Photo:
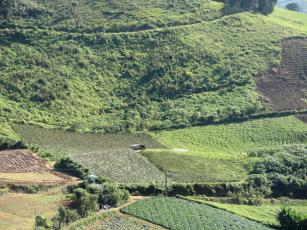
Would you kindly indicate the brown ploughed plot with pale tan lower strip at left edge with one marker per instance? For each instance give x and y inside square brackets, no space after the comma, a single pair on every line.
[21,166]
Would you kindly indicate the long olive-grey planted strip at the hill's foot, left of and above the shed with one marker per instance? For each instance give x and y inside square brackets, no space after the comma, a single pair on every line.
[62,143]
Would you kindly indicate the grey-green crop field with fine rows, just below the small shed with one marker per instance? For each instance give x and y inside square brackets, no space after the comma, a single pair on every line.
[124,166]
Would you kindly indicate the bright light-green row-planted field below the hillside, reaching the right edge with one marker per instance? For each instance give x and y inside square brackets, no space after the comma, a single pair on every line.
[237,138]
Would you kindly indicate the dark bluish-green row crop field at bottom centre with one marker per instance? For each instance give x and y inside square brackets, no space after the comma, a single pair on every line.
[176,214]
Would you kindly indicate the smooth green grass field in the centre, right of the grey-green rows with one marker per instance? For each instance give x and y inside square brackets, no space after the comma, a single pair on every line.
[185,167]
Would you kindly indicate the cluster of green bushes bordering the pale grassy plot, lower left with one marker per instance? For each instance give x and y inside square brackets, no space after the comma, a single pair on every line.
[86,198]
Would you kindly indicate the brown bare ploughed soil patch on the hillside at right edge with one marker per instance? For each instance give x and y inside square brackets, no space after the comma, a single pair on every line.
[285,87]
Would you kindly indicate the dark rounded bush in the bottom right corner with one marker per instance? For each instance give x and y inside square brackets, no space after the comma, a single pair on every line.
[291,220]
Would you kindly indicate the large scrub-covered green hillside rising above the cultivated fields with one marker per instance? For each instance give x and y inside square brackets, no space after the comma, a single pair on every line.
[194,63]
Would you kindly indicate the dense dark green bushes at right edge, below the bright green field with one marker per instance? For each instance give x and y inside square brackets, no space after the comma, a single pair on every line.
[281,173]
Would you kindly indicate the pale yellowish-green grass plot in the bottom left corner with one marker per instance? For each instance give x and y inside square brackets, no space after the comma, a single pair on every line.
[18,211]
